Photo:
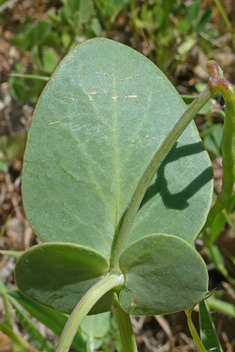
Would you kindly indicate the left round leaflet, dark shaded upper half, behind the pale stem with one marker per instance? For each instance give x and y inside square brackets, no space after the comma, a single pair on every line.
[59,274]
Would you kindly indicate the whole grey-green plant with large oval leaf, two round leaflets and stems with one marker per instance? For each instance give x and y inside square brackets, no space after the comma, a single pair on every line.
[117,185]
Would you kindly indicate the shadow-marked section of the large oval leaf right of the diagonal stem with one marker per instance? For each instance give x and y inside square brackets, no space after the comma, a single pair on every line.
[170,204]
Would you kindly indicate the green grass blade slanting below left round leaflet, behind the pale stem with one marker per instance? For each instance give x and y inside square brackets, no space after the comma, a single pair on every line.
[52,319]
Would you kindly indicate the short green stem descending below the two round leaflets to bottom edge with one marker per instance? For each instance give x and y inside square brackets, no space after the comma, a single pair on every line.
[126,330]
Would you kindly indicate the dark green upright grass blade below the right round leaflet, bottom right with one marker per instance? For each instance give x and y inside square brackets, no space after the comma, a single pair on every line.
[207,329]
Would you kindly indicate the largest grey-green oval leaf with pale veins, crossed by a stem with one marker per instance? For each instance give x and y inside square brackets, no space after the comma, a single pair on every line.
[99,121]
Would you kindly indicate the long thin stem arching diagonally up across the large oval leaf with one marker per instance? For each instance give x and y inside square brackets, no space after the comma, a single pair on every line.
[149,173]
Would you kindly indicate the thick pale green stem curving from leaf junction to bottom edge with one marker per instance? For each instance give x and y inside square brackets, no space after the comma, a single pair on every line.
[83,307]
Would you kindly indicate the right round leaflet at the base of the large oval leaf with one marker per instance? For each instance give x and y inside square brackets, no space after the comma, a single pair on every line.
[163,274]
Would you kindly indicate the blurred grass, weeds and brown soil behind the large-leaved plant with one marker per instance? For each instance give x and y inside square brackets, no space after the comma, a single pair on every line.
[179,37]
